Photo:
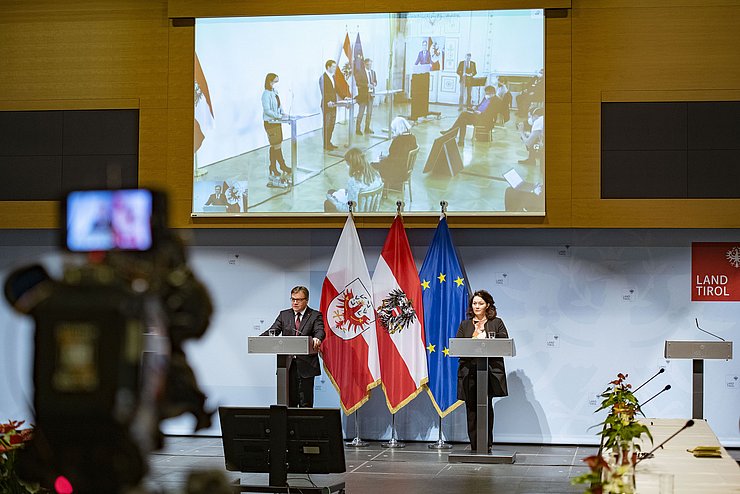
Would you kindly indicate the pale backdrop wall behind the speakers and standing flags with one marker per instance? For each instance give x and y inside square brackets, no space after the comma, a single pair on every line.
[604,307]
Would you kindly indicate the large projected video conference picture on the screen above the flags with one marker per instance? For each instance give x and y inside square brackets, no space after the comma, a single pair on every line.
[303,114]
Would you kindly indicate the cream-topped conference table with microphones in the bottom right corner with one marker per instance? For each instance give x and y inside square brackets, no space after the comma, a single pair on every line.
[690,475]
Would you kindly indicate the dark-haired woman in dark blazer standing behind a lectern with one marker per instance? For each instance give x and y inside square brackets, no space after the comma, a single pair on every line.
[481,323]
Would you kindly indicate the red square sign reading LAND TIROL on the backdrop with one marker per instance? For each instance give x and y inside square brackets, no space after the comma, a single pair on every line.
[715,272]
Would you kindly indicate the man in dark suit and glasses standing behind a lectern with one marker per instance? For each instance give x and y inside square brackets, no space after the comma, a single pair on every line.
[300,320]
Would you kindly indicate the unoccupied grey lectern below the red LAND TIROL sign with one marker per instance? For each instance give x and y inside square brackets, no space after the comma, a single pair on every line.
[698,351]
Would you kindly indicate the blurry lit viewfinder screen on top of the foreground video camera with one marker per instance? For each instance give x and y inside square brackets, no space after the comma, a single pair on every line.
[103,220]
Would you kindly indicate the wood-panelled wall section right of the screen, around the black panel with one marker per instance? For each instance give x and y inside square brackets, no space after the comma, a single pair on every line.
[673,50]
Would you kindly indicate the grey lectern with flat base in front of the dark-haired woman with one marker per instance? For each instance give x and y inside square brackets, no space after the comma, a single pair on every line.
[481,350]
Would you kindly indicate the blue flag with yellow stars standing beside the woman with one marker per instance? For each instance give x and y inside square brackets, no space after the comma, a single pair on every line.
[445,296]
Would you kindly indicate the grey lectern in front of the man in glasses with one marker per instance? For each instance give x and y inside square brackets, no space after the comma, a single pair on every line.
[285,347]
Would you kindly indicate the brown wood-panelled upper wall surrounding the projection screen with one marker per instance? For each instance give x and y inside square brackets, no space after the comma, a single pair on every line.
[83,54]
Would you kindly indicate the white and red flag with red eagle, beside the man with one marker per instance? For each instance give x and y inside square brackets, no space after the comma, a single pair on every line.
[350,350]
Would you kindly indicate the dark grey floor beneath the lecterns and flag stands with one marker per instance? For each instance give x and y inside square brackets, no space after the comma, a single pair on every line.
[412,470]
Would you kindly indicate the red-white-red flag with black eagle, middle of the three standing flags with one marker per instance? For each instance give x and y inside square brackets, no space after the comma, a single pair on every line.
[399,316]
